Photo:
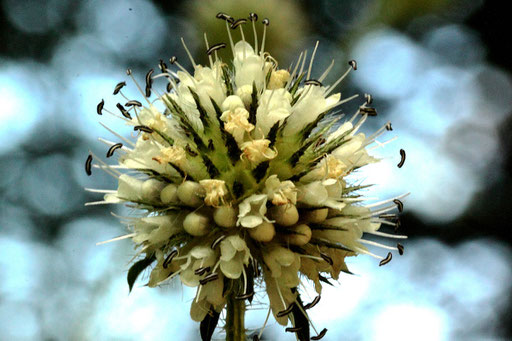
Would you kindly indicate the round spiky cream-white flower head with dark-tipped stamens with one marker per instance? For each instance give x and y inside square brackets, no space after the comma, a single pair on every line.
[243,178]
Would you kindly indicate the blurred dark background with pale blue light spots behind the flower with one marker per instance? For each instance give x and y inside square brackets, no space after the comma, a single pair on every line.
[439,70]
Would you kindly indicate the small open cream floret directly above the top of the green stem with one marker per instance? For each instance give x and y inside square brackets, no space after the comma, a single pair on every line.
[234,255]
